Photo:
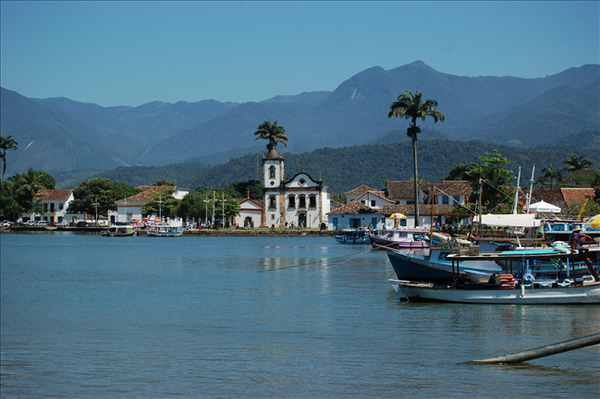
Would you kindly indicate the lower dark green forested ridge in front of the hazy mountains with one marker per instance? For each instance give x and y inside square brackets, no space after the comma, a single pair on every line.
[343,169]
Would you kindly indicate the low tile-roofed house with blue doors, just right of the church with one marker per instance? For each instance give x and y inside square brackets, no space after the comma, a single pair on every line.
[355,214]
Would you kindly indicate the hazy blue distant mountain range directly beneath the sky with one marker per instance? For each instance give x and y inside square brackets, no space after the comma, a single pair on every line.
[60,135]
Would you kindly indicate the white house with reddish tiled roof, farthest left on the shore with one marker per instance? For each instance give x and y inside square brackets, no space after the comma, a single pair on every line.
[55,204]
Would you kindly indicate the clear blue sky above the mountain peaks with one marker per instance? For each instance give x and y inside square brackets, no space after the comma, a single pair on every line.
[130,53]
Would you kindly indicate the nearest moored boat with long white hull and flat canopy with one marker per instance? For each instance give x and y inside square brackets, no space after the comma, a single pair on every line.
[503,288]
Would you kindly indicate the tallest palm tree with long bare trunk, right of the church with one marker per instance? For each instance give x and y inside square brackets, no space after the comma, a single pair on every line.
[411,107]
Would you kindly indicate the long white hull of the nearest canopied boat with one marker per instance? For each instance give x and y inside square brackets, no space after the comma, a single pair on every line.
[581,294]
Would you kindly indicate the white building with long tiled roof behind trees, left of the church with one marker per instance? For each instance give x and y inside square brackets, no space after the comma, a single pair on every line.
[130,208]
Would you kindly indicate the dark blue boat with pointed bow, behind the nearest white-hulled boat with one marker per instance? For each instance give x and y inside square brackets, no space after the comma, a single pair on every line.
[432,265]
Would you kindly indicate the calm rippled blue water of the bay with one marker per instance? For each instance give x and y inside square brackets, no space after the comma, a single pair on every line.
[91,316]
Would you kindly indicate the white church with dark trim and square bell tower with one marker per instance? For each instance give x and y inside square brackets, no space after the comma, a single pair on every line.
[299,202]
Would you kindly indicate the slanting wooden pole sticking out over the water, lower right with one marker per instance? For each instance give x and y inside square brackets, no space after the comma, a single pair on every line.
[542,351]
